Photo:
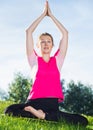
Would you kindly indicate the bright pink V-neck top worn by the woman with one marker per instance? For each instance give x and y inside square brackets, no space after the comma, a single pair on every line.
[47,80]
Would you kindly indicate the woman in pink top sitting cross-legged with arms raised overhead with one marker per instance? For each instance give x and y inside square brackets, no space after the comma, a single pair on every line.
[46,91]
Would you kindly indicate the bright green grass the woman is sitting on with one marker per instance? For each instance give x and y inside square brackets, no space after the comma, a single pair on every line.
[13,123]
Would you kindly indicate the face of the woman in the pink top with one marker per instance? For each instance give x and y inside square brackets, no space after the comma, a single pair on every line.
[45,43]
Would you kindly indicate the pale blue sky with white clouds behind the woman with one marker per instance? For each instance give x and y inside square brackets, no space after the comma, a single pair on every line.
[17,16]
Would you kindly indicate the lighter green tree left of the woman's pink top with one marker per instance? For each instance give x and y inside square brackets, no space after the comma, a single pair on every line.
[19,88]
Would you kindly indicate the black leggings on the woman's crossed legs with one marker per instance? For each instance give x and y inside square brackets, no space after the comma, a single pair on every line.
[49,106]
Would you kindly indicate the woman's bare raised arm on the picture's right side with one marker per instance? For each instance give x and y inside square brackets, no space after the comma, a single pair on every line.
[64,34]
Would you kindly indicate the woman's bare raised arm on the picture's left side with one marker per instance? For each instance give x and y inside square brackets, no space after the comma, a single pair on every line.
[30,30]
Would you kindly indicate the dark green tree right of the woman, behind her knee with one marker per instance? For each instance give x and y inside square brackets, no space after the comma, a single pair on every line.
[79,98]
